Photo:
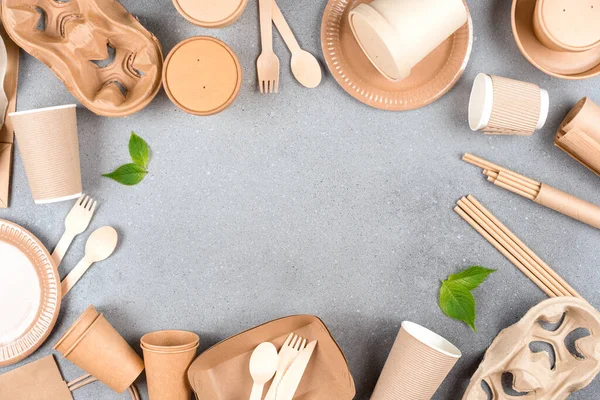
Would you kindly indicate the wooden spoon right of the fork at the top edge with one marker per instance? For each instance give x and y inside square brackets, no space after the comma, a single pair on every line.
[305,67]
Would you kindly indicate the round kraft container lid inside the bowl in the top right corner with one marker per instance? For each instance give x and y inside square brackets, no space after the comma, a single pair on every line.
[571,25]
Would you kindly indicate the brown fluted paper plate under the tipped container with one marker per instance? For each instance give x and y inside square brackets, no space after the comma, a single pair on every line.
[429,80]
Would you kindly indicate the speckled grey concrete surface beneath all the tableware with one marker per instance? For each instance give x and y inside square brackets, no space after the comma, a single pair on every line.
[311,202]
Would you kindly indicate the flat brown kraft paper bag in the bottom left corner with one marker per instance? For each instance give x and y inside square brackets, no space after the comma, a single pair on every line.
[39,380]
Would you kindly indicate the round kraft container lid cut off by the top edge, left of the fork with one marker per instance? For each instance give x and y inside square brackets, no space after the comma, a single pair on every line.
[210,13]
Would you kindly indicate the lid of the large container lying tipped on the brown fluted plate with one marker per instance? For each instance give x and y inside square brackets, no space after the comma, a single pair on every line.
[376,38]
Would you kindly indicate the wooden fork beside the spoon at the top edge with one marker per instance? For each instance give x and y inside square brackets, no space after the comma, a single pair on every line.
[267,64]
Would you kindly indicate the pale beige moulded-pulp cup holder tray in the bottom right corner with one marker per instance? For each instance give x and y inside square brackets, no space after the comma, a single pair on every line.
[543,353]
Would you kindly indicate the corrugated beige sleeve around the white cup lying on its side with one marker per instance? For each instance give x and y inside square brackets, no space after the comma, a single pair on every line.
[516,108]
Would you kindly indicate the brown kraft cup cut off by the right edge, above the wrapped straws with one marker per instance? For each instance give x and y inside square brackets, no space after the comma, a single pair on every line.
[579,134]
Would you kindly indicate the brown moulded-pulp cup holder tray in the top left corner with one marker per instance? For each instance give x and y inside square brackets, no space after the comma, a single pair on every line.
[77,40]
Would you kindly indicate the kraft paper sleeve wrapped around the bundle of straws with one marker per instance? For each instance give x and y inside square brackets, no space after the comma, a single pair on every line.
[569,205]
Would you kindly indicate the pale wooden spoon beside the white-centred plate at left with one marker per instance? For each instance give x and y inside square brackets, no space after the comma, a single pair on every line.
[100,245]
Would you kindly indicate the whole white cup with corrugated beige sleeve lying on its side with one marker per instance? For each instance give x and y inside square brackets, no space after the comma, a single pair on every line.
[505,106]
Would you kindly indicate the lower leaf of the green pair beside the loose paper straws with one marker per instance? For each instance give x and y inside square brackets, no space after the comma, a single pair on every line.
[457,302]
